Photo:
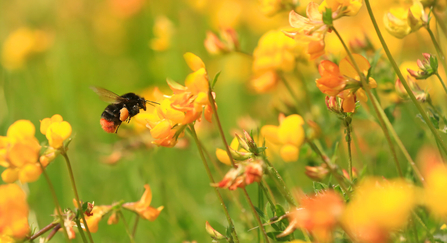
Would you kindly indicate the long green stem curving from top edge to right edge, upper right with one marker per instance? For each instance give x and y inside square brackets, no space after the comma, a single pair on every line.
[402,79]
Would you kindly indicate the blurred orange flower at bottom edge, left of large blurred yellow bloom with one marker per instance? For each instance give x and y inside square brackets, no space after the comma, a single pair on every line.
[318,214]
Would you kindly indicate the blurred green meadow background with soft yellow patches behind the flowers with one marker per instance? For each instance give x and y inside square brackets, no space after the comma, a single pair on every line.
[53,51]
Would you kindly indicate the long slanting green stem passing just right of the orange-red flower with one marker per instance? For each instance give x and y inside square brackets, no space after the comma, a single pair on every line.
[375,106]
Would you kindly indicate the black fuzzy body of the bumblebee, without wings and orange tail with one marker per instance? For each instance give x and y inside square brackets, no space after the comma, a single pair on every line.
[132,102]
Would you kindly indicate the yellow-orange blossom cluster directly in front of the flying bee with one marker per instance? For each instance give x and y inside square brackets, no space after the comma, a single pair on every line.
[183,107]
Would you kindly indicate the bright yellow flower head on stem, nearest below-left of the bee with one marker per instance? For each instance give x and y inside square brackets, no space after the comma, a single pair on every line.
[56,130]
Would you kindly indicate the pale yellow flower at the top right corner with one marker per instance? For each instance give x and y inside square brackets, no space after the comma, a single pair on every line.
[403,20]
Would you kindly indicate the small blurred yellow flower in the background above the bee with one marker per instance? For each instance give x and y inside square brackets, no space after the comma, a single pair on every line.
[163,31]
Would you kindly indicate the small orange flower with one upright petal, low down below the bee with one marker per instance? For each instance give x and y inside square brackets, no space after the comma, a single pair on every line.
[143,207]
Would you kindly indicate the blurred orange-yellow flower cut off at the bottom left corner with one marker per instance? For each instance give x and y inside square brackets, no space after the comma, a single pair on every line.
[13,211]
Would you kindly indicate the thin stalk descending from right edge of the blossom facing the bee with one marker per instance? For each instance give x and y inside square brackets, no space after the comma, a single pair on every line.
[227,147]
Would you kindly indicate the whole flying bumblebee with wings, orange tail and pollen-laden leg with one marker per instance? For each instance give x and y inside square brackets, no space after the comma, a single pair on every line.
[121,108]
